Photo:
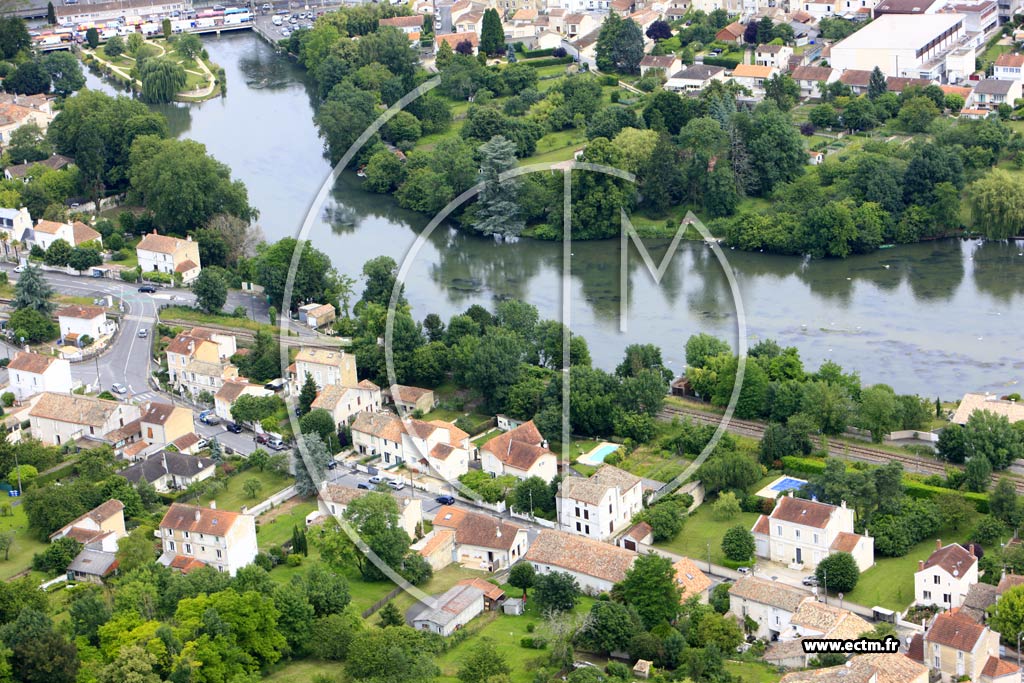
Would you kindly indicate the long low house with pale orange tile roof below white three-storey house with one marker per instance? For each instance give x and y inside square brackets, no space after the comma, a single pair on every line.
[596,567]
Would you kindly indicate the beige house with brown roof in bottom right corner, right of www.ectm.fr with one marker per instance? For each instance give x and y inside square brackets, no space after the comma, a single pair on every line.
[955,647]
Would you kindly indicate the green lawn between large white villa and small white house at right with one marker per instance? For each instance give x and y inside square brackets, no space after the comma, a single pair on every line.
[890,582]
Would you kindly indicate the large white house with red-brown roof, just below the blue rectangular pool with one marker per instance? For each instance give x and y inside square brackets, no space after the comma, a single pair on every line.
[801,534]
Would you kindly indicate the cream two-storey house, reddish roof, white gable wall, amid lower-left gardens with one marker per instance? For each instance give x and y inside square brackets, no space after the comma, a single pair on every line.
[192,537]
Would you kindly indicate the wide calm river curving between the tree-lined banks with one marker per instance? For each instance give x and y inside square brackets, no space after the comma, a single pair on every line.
[936,319]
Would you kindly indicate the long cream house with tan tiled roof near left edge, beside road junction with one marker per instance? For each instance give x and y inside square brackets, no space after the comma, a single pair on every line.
[59,419]
